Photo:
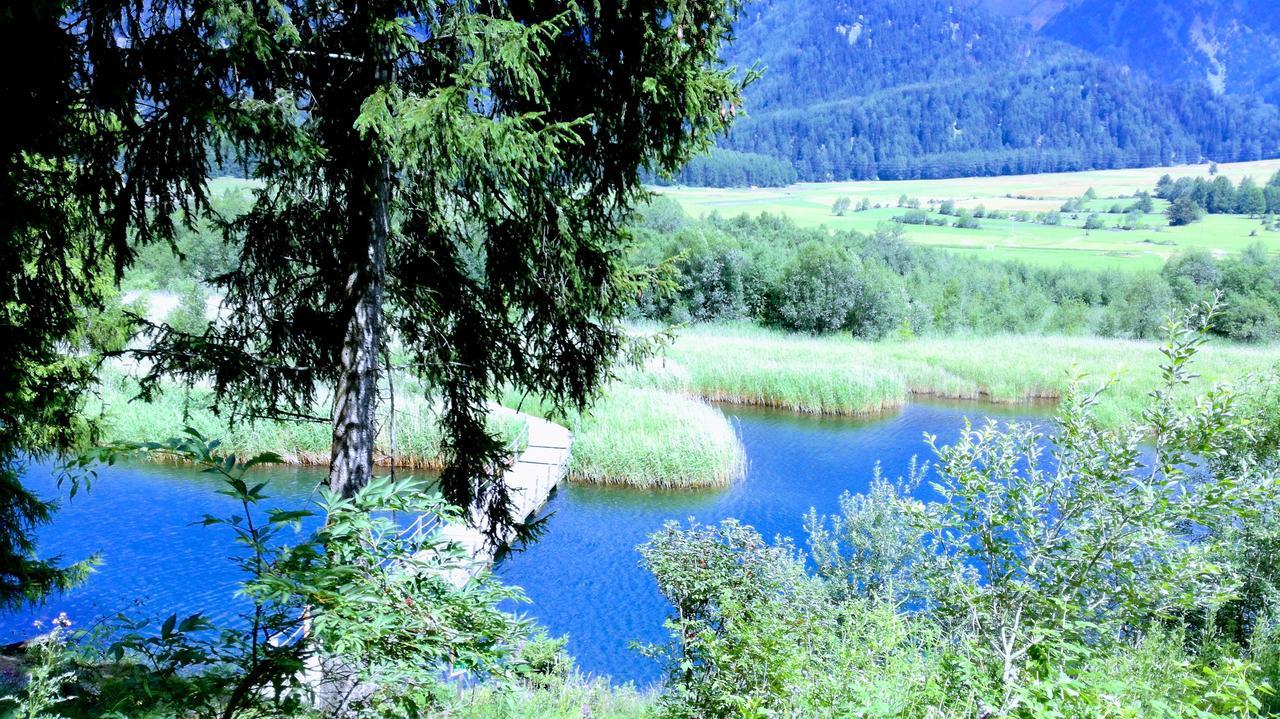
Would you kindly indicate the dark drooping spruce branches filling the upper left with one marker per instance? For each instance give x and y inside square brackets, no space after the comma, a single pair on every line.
[440,189]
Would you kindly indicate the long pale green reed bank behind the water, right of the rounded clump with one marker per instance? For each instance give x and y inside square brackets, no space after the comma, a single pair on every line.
[844,377]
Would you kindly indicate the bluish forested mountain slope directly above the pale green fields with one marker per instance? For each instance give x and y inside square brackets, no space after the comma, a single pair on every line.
[934,89]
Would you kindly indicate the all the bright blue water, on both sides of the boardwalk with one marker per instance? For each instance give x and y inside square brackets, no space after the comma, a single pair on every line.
[583,578]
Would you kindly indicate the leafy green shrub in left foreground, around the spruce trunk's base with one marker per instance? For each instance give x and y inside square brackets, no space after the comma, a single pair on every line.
[360,619]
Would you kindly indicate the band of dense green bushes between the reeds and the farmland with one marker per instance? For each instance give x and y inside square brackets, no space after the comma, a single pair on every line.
[770,271]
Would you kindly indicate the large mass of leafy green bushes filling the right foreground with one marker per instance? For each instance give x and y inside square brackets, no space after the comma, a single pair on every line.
[1080,573]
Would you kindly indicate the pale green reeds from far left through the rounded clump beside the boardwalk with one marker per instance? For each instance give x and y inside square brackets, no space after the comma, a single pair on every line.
[637,436]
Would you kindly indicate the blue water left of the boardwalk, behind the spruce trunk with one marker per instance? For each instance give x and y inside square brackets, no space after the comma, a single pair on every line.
[156,558]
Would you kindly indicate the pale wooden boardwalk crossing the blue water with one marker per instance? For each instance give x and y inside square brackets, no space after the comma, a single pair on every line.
[531,482]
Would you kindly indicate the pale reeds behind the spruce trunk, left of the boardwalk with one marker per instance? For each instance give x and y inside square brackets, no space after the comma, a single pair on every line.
[418,438]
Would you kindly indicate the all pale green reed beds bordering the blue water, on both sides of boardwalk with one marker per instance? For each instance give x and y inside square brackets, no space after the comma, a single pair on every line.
[656,427]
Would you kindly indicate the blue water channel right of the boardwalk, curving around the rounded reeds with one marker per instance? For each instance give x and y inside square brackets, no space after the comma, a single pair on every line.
[584,578]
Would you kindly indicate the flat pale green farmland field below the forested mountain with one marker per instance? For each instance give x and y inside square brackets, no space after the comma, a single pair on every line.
[1008,239]
